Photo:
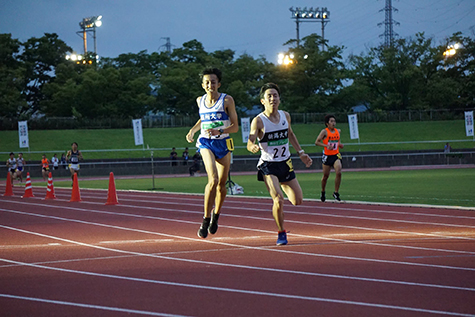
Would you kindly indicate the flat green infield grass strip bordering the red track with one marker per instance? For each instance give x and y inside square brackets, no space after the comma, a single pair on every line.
[454,187]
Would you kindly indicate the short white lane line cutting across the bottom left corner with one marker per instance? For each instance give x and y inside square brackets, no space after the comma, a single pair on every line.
[107,308]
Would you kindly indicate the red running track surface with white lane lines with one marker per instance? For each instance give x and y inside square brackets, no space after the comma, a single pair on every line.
[143,257]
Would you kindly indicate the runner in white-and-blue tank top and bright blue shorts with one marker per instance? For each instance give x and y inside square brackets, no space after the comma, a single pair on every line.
[218,118]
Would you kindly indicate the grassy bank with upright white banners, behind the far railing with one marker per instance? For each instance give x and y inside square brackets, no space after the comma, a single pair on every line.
[111,140]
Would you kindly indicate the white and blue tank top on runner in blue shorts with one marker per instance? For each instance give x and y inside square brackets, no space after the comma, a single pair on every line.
[214,117]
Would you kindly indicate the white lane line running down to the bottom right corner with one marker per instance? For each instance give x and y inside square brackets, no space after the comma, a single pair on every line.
[246,292]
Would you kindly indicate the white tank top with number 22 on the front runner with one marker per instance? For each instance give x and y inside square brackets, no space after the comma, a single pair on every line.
[274,144]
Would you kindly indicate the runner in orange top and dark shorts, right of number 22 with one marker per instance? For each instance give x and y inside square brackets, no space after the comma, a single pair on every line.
[329,139]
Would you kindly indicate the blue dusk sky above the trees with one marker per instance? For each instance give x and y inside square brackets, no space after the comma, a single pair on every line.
[256,27]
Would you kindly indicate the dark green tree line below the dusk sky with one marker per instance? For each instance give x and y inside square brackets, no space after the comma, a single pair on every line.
[36,79]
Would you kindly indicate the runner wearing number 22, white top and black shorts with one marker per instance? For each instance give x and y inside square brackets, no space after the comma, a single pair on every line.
[273,130]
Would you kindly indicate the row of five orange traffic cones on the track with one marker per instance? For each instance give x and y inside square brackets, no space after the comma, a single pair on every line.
[75,193]
